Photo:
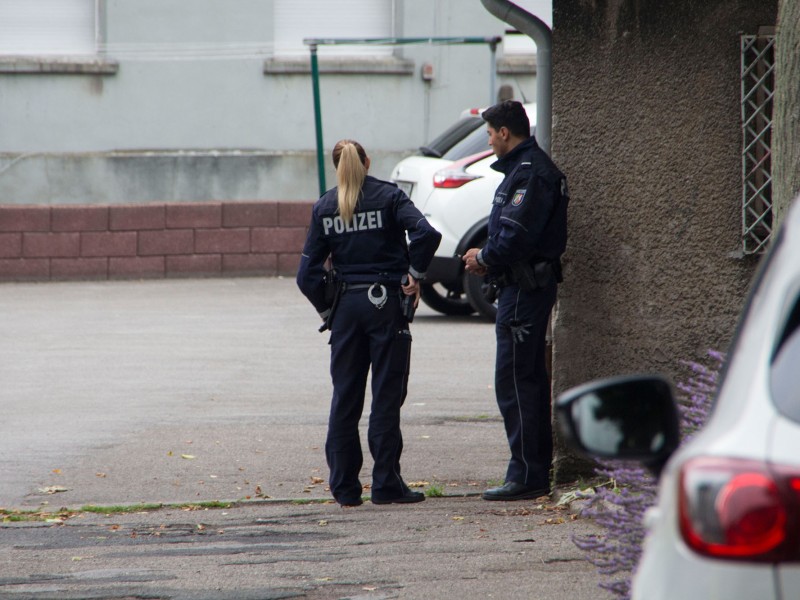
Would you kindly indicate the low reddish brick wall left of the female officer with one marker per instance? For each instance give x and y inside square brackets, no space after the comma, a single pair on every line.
[39,243]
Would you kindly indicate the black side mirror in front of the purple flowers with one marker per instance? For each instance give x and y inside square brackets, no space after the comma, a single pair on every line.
[626,418]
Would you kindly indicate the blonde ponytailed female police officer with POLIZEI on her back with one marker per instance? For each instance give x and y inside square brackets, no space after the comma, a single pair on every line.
[361,226]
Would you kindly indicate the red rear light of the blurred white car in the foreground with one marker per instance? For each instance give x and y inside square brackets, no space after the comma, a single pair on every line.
[740,509]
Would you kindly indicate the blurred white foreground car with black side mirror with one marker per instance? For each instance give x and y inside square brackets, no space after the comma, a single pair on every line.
[727,522]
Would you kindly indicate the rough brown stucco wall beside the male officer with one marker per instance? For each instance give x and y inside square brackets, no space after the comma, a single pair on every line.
[647,129]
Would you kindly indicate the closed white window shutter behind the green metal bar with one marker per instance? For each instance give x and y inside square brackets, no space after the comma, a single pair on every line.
[299,19]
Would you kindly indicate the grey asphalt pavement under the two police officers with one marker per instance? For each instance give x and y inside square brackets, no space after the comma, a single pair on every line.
[164,439]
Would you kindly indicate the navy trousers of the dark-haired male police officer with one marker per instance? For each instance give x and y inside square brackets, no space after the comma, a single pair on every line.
[522,385]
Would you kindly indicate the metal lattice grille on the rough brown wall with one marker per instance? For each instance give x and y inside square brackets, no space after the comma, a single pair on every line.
[758,89]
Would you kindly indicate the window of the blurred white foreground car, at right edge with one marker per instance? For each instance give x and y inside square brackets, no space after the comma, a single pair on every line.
[784,374]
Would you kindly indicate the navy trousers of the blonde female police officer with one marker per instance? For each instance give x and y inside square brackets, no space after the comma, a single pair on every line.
[363,336]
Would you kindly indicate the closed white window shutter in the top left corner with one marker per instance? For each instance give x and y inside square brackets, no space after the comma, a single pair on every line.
[46,27]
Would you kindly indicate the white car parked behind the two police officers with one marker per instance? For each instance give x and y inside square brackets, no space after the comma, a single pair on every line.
[454,190]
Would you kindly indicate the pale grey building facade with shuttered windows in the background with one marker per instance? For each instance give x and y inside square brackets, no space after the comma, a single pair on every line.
[114,102]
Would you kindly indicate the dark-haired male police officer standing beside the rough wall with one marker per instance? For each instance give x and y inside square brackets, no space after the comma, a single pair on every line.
[527,235]
